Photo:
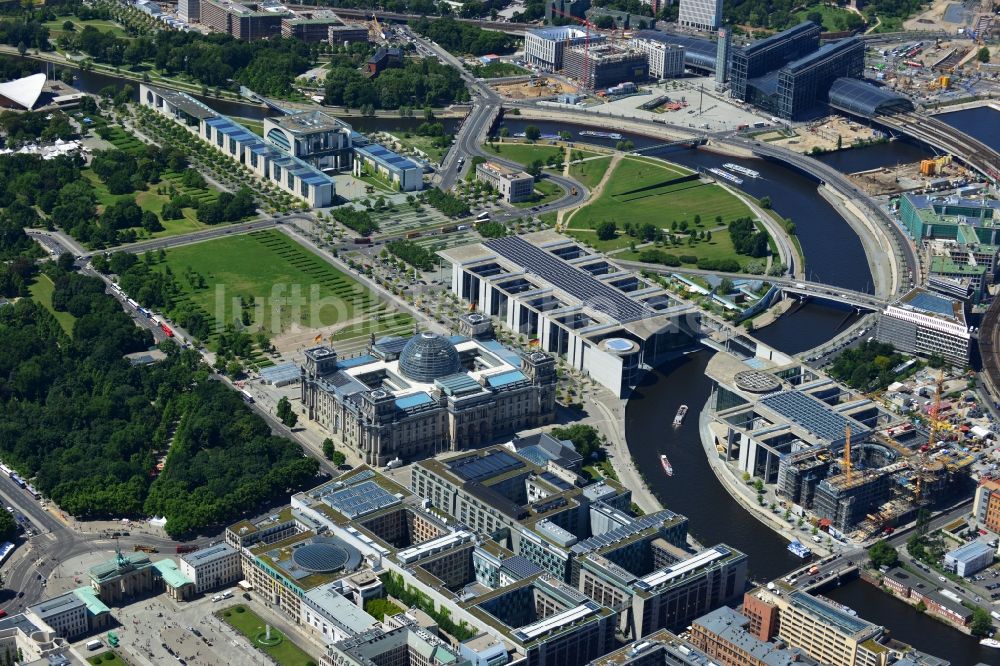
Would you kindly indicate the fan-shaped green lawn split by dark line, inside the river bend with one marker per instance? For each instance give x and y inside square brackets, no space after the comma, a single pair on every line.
[644,191]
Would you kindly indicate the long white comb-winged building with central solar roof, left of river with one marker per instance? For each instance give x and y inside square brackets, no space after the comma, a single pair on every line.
[607,322]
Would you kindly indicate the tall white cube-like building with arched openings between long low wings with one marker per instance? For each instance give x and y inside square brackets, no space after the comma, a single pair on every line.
[314,137]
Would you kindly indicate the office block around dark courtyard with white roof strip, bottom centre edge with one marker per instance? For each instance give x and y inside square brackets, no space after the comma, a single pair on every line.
[546,621]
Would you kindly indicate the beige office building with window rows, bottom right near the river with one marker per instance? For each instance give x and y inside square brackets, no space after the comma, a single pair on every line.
[826,632]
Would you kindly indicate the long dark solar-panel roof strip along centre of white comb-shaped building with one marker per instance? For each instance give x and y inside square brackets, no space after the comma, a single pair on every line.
[574,281]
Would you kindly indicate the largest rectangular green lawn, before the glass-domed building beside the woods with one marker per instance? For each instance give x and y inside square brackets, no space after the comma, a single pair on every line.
[290,283]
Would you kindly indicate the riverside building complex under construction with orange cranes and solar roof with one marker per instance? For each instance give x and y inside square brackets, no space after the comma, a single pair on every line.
[853,465]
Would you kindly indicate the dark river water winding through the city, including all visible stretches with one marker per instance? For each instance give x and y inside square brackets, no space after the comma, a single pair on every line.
[833,255]
